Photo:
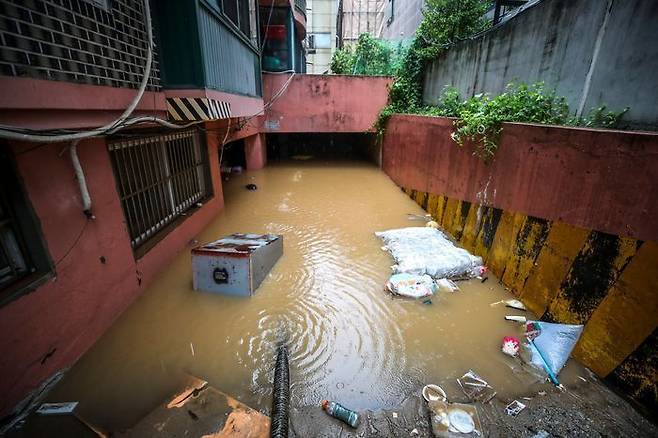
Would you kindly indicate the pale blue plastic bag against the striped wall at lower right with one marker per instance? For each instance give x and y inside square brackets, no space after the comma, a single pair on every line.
[551,344]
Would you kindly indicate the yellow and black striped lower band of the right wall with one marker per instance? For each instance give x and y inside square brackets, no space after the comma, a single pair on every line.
[571,275]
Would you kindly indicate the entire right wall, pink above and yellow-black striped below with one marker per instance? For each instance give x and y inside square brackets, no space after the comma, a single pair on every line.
[566,218]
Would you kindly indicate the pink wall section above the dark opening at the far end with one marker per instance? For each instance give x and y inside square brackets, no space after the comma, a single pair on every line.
[324,103]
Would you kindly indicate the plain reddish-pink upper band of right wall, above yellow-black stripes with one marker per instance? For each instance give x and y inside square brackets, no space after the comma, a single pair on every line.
[596,179]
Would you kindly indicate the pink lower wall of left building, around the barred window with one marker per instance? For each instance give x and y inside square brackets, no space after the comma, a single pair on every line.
[71,311]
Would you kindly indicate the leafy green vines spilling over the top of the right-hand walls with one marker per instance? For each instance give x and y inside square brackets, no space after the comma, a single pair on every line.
[479,118]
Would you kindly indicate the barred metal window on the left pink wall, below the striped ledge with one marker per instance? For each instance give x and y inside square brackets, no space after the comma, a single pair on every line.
[158,178]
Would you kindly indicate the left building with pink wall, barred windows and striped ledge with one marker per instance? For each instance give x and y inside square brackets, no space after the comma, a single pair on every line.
[87,221]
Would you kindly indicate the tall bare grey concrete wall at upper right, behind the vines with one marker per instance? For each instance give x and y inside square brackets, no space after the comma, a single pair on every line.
[594,52]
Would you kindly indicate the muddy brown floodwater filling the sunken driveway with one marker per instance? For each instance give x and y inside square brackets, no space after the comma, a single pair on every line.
[348,339]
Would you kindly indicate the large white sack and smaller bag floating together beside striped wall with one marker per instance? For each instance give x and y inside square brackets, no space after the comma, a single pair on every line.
[426,262]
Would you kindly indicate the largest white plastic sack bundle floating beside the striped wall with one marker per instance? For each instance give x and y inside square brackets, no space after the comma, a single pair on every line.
[423,250]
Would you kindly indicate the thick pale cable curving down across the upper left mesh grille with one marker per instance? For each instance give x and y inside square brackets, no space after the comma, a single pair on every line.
[22,135]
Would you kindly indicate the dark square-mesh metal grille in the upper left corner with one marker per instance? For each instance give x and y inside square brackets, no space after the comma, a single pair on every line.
[75,41]
